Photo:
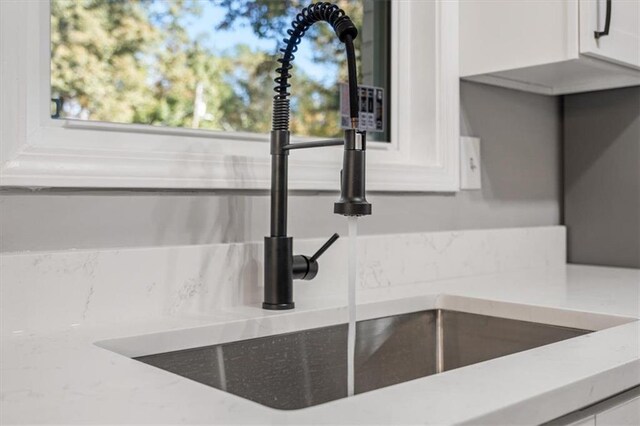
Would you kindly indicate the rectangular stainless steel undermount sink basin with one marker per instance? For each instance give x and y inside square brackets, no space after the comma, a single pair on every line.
[297,370]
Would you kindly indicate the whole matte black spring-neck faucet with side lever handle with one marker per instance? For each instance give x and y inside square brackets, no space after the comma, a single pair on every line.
[281,267]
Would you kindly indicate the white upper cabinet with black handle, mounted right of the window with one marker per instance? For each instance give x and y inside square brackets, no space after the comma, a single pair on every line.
[550,46]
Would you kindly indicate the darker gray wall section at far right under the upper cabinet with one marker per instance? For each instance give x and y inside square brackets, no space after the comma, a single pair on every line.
[602,177]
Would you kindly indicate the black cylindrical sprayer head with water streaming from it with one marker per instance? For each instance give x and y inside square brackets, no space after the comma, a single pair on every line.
[353,201]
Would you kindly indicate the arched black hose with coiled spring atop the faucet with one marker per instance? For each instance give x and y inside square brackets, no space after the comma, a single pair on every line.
[346,32]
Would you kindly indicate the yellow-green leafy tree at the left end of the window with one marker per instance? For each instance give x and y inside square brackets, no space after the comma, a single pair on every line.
[95,49]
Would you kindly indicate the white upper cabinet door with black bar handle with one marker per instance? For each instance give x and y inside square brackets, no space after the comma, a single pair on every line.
[622,44]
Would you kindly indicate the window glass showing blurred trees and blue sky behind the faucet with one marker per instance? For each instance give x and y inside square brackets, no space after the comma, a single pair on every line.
[206,64]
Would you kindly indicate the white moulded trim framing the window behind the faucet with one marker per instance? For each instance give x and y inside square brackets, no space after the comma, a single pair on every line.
[37,151]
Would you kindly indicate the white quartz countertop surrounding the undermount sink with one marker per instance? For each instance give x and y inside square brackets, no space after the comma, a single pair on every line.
[65,377]
